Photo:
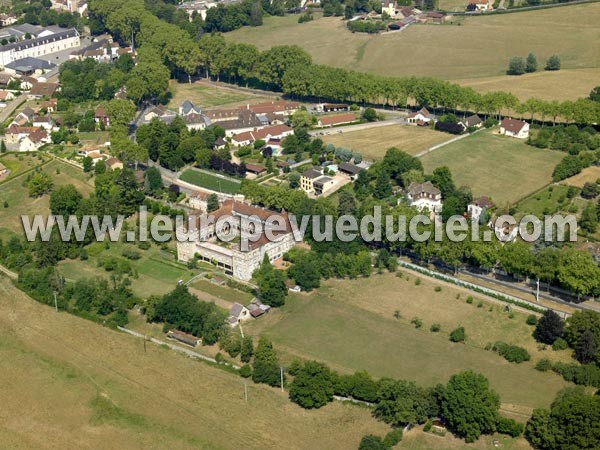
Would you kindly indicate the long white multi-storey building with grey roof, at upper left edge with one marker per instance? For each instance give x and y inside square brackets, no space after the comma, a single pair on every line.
[40,46]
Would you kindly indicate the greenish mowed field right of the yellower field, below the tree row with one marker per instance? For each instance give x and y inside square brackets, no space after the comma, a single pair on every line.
[503,168]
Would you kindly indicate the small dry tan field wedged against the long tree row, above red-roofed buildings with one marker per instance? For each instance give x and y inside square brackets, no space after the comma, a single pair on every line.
[206,96]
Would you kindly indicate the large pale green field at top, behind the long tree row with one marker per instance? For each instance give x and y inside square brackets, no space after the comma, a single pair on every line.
[479,47]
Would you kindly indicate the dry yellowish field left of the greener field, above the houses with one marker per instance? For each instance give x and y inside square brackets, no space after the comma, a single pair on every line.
[374,142]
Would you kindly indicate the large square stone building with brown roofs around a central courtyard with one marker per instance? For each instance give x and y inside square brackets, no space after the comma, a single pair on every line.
[237,219]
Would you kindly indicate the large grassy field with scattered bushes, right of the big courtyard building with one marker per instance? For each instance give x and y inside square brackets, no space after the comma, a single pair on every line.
[351,325]
